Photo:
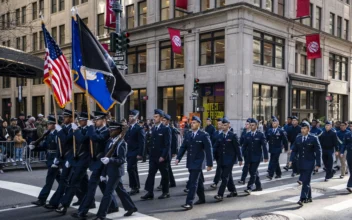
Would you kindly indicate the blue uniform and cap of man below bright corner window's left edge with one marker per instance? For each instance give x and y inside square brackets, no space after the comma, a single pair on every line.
[254,147]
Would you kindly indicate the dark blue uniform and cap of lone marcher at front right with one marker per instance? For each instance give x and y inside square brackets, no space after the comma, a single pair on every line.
[308,150]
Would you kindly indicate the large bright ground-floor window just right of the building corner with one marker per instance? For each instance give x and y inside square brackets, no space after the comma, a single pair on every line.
[266,101]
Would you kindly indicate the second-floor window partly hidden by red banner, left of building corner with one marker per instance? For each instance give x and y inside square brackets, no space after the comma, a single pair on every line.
[168,59]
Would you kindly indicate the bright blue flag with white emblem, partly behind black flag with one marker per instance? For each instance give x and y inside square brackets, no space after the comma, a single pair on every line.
[97,81]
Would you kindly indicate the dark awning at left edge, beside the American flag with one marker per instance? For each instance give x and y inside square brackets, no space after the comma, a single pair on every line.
[16,63]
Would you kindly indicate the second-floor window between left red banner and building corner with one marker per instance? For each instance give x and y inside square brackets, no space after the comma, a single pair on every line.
[212,48]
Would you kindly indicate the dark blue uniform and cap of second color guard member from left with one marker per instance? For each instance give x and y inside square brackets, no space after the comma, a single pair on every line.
[66,138]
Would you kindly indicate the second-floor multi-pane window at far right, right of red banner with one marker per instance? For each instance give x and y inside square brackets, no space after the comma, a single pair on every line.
[338,67]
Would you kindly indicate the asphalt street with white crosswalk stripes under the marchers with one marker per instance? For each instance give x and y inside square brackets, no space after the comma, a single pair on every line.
[277,201]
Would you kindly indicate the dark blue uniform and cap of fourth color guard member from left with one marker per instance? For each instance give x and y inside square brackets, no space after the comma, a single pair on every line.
[99,137]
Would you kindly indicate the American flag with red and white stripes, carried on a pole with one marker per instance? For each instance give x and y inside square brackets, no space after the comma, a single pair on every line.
[56,64]
